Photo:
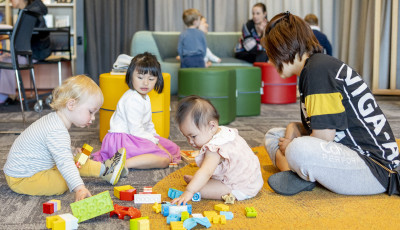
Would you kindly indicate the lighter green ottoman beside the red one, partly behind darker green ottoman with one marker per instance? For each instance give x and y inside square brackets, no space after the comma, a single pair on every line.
[248,86]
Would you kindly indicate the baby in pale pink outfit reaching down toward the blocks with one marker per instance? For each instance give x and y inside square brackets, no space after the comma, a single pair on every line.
[227,164]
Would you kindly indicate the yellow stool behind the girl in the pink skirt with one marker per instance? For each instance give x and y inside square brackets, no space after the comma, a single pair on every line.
[114,86]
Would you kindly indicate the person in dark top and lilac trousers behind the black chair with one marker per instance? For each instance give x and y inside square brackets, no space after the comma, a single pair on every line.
[40,45]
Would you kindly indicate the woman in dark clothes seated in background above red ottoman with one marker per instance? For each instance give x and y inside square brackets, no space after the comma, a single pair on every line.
[249,47]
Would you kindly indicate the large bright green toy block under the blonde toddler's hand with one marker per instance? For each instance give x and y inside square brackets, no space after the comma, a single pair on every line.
[93,206]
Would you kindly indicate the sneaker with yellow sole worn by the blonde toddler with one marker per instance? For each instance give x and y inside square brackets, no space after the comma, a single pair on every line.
[114,166]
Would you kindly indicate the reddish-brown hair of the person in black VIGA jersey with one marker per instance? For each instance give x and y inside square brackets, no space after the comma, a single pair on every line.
[287,35]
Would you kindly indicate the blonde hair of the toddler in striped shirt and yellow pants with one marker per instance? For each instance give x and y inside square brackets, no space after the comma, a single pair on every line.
[78,88]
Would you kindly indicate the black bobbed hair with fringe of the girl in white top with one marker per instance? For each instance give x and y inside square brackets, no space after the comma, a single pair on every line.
[145,63]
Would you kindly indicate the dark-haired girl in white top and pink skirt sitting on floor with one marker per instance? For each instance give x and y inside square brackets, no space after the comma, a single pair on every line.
[131,126]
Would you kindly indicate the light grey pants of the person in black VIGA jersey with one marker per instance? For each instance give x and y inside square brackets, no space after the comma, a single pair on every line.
[333,165]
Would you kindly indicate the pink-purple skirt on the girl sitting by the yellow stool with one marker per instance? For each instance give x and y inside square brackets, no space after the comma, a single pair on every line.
[135,146]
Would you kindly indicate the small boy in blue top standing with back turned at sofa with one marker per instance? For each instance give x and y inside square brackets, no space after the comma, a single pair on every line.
[192,43]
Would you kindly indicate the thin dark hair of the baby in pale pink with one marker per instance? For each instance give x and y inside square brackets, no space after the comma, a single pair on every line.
[201,110]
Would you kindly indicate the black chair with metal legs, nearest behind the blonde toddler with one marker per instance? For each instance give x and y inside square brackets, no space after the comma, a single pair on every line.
[20,45]
